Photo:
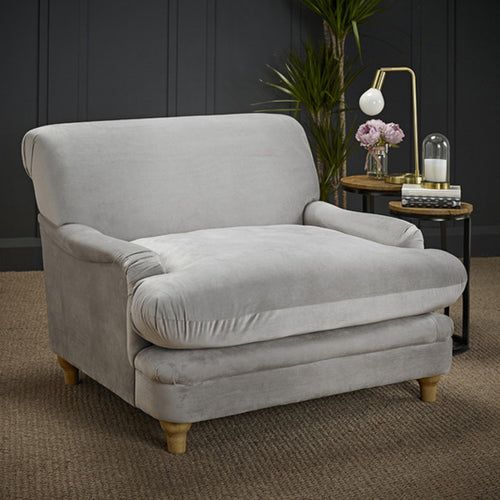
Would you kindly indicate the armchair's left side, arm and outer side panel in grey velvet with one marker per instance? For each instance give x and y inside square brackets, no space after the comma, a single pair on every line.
[89,278]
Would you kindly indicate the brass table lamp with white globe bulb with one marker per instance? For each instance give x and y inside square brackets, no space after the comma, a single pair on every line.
[372,103]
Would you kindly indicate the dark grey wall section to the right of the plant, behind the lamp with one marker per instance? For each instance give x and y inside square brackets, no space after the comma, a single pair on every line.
[454,47]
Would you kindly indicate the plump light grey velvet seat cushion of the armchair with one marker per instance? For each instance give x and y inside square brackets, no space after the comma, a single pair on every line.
[238,285]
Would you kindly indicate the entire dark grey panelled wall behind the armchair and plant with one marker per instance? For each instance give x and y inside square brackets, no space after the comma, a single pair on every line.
[72,60]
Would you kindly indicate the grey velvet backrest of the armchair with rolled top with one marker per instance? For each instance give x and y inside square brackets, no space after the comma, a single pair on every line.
[137,178]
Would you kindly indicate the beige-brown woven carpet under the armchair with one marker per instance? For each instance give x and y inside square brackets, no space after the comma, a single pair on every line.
[83,442]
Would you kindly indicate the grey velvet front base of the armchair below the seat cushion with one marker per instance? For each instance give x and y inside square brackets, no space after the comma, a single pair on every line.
[194,385]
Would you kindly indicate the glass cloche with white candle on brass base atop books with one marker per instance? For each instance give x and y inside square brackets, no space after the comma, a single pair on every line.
[436,157]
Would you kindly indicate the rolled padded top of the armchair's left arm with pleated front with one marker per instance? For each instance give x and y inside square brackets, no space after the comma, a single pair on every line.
[89,245]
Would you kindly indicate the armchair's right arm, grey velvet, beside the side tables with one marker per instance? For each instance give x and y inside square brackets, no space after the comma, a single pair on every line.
[378,228]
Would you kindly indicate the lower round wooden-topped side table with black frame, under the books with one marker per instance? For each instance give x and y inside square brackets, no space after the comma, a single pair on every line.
[443,215]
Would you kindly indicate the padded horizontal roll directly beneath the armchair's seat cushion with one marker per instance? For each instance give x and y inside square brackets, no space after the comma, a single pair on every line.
[193,366]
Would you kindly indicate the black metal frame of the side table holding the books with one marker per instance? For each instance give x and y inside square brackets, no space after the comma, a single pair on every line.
[460,342]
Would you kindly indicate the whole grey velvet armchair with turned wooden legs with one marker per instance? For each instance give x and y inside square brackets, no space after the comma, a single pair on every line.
[191,270]
